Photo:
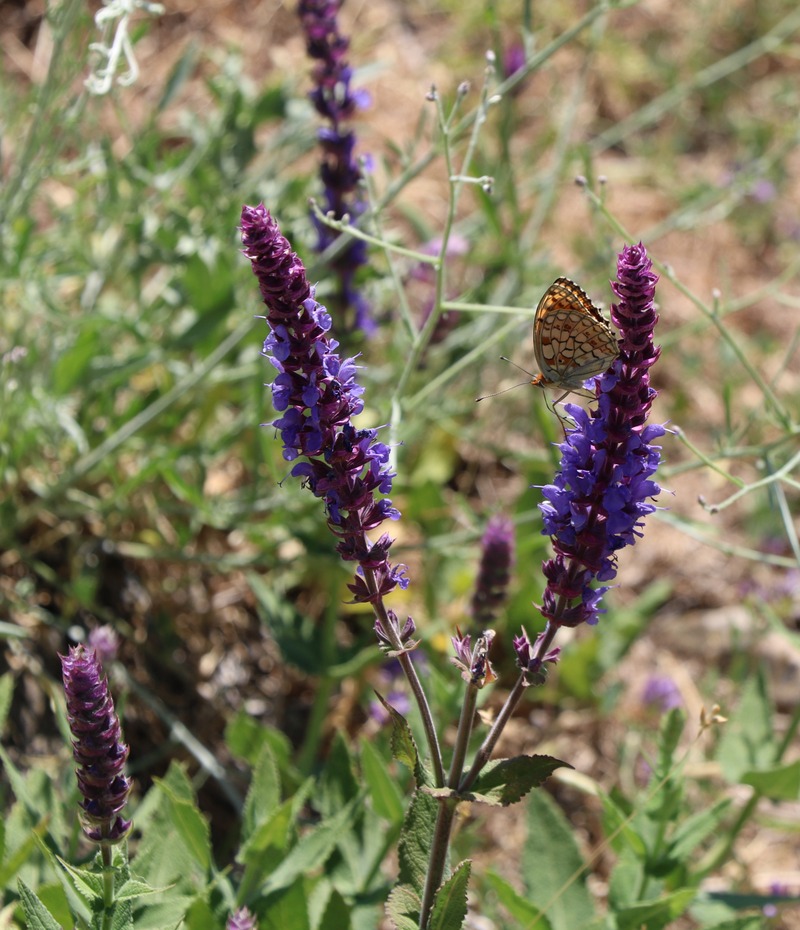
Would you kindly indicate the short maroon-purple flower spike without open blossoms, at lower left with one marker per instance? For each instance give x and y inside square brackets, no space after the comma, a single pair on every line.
[97,747]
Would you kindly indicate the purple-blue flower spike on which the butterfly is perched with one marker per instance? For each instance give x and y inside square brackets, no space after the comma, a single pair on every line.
[599,498]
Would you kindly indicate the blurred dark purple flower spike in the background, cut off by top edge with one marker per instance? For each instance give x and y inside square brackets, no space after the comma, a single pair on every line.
[336,102]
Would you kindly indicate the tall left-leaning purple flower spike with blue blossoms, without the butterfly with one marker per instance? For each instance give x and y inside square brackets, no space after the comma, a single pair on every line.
[317,393]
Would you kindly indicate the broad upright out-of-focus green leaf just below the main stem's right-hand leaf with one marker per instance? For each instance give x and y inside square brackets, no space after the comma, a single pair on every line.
[552,869]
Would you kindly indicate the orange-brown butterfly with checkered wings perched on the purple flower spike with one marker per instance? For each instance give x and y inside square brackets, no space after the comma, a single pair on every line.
[571,340]
